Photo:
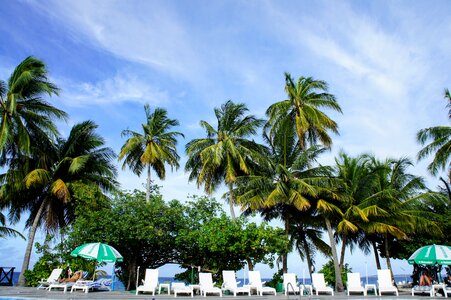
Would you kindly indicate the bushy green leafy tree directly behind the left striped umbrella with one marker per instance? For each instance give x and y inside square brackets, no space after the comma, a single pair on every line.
[143,232]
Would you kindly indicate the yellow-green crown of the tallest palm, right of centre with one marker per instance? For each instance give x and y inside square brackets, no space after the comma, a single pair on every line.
[303,107]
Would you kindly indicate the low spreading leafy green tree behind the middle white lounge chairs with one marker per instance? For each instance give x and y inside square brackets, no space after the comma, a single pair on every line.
[215,244]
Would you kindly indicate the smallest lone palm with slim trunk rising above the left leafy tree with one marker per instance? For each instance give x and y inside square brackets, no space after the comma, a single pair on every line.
[152,149]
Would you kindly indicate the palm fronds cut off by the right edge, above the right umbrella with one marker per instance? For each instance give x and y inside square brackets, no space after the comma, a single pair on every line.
[440,144]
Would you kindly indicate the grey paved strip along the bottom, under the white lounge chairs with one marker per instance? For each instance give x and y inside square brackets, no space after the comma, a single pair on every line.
[33,293]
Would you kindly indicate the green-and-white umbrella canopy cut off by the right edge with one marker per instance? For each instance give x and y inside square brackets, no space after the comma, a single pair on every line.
[431,255]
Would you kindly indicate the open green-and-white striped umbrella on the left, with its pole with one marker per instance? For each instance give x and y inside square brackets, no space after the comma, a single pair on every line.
[100,253]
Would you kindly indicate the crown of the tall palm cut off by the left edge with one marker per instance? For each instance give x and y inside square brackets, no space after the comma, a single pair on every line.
[23,111]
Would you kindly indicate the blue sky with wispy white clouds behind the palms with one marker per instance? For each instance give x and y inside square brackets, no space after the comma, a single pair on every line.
[387,63]
